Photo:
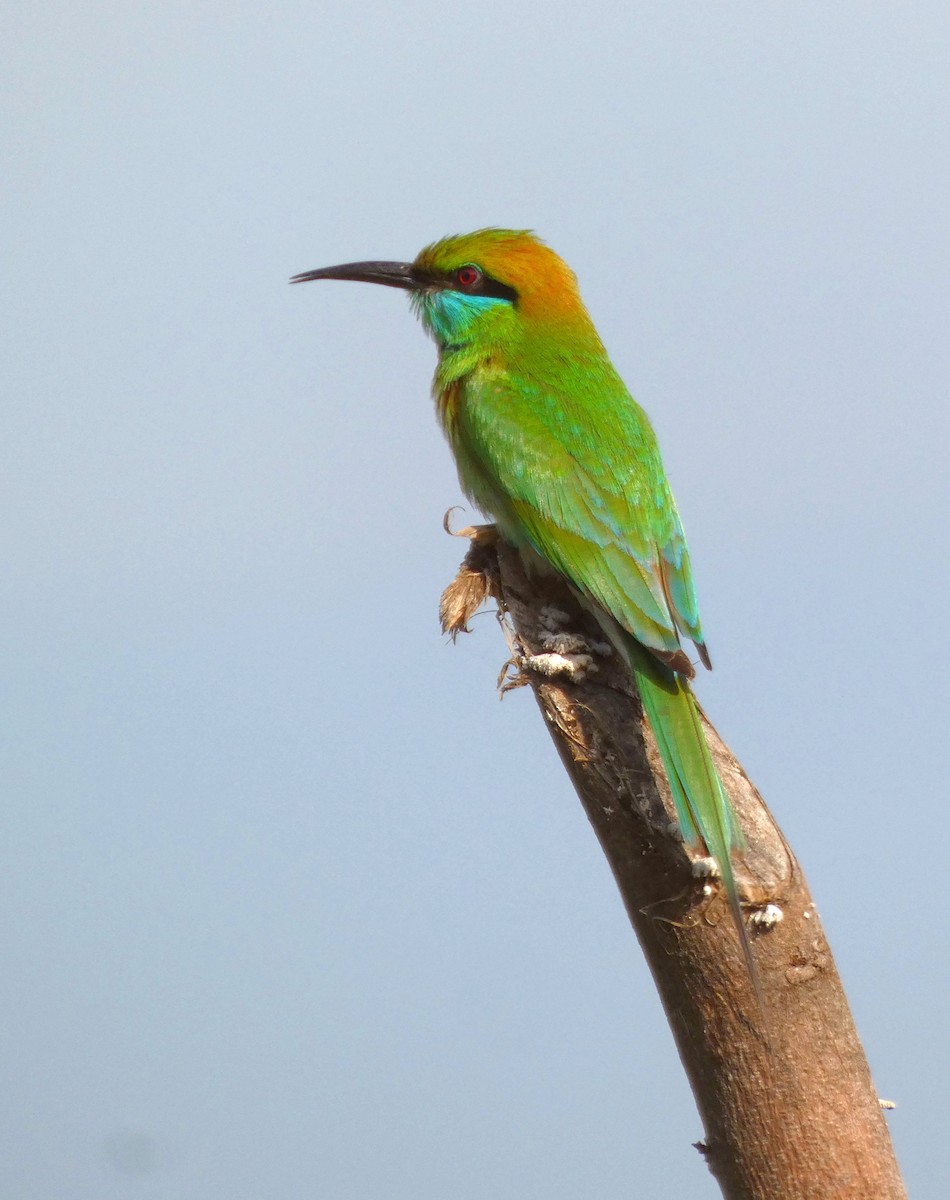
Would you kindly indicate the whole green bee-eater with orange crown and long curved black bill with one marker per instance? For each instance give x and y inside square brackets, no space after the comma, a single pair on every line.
[551,445]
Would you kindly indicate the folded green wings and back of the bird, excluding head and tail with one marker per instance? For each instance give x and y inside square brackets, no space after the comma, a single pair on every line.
[579,477]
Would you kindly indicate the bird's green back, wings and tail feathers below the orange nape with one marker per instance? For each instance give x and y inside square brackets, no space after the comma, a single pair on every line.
[568,465]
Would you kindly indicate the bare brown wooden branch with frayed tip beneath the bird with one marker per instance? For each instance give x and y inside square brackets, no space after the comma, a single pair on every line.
[790,1111]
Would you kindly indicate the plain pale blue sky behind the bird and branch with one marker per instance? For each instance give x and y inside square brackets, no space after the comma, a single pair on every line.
[293,905]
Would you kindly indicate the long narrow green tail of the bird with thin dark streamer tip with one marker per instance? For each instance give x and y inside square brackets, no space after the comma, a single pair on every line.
[704,809]
